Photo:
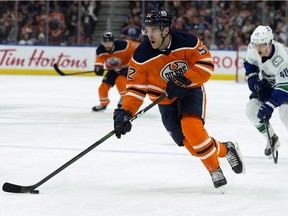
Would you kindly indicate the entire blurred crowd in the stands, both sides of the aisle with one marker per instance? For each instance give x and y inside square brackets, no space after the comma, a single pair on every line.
[220,24]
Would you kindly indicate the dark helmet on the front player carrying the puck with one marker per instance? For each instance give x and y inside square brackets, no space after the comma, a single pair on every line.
[158,18]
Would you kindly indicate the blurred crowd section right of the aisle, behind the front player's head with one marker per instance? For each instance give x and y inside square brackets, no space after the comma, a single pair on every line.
[220,24]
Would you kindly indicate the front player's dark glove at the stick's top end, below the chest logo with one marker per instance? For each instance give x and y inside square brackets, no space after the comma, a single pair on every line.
[177,86]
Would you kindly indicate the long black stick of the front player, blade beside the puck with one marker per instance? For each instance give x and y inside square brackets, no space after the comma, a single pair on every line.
[13,188]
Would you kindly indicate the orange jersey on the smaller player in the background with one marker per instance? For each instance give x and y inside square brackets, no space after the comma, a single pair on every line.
[119,57]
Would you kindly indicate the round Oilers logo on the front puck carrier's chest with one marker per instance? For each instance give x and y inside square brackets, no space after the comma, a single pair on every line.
[174,68]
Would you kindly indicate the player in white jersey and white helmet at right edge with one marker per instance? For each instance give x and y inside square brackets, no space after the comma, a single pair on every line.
[266,66]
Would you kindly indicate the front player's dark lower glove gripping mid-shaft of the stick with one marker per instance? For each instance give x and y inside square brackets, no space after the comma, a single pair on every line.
[122,125]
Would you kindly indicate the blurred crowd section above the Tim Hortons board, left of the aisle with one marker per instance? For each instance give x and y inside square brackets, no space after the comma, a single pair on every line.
[60,22]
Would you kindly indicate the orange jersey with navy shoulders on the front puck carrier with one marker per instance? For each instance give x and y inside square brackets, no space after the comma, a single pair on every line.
[150,69]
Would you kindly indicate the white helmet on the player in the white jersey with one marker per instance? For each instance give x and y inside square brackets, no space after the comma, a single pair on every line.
[262,34]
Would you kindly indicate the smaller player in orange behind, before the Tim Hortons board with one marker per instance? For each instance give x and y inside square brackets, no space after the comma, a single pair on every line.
[115,56]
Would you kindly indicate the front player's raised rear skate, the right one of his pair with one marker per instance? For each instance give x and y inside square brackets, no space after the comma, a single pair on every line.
[234,157]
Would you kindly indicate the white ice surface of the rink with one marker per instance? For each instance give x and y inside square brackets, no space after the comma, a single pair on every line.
[46,120]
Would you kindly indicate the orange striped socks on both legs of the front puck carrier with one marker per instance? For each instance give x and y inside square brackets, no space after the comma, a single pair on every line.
[204,146]
